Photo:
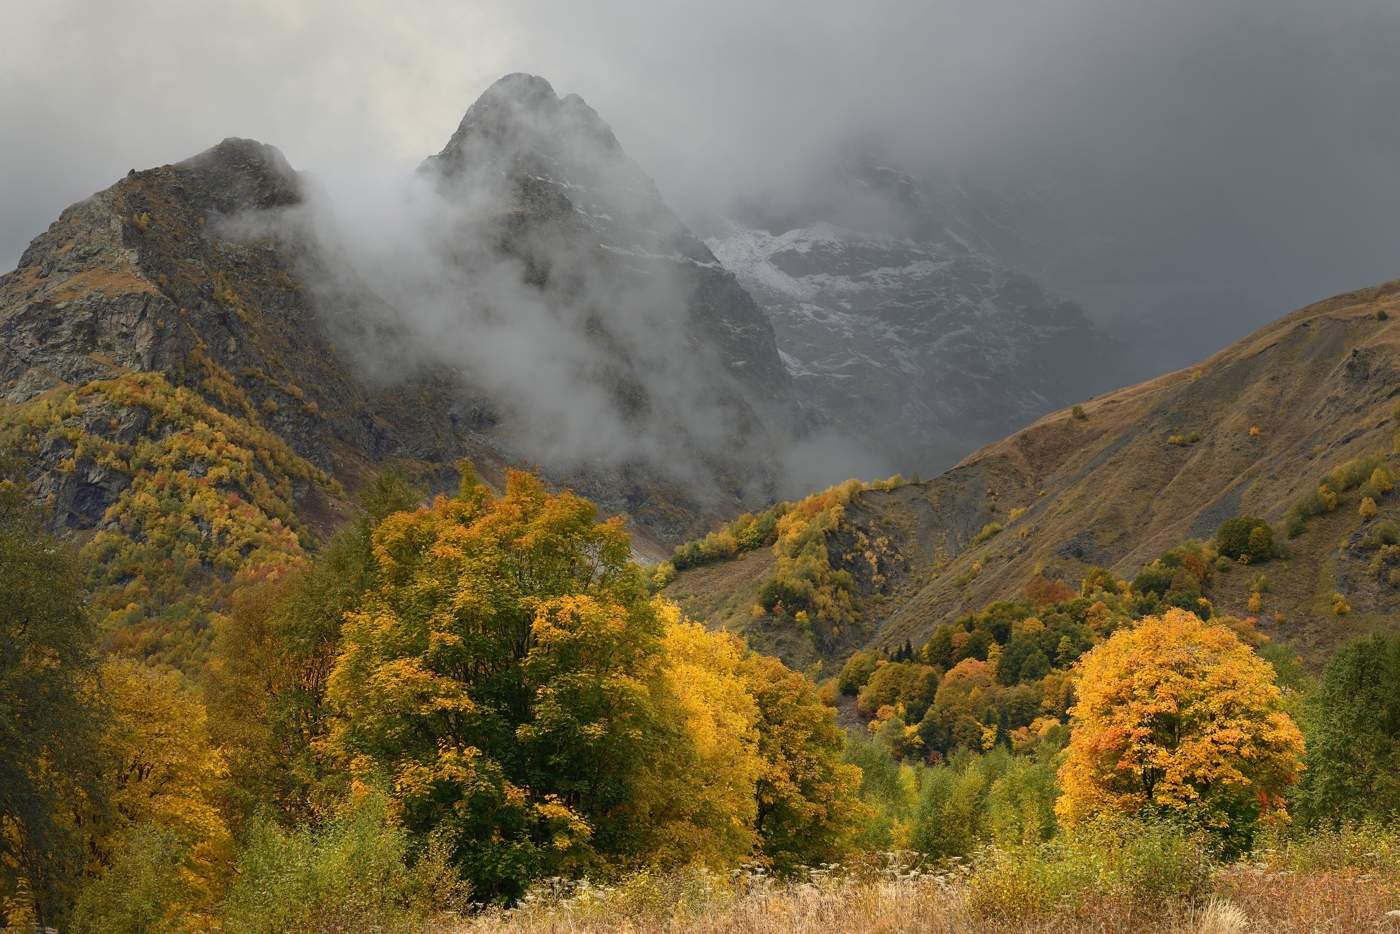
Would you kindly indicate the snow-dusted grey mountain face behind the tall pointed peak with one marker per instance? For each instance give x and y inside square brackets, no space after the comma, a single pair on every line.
[901,326]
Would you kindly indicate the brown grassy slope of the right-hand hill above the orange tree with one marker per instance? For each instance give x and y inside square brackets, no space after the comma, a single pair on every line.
[1111,489]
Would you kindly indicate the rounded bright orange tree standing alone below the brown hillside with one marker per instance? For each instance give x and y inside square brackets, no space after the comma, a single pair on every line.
[1179,716]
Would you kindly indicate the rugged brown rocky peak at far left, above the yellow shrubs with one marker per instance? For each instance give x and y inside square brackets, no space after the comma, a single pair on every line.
[143,279]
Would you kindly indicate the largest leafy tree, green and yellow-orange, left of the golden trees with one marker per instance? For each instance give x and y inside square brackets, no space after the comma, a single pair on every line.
[457,676]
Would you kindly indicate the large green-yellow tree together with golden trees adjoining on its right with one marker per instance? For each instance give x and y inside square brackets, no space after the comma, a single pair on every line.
[526,704]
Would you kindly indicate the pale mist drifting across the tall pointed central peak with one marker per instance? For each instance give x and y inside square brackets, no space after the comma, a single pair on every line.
[534,267]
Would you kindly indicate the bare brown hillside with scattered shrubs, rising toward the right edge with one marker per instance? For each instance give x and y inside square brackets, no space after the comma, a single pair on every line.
[1289,425]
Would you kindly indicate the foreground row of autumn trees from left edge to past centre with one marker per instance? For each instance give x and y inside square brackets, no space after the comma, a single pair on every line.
[449,704]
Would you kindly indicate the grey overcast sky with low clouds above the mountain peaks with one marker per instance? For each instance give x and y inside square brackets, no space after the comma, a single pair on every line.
[1247,148]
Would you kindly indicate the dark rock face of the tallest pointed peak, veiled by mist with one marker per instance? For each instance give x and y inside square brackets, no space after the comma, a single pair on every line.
[684,354]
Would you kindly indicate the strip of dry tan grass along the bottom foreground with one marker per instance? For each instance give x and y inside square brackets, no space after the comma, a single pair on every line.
[1245,900]
